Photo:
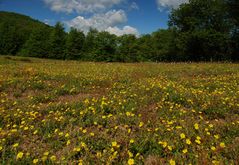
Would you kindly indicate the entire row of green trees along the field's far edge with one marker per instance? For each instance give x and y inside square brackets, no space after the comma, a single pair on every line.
[201,30]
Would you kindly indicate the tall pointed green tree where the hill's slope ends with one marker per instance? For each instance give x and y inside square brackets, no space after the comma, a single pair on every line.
[57,42]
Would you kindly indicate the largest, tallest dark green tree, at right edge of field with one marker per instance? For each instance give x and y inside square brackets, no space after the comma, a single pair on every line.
[203,30]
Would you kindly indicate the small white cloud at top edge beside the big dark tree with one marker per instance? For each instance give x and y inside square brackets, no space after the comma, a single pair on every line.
[169,3]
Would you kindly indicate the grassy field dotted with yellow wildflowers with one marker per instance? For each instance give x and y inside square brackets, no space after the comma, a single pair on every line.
[111,113]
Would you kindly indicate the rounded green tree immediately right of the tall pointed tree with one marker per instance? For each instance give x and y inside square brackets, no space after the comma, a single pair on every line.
[74,44]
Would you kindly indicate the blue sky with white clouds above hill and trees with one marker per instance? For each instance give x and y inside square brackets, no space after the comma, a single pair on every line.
[116,16]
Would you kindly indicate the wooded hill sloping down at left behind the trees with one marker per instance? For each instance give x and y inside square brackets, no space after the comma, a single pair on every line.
[16,27]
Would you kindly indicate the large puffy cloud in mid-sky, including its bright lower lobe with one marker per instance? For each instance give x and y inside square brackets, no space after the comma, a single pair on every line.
[103,22]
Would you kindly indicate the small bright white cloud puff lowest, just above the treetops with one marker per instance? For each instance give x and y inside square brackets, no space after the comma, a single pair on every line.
[125,30]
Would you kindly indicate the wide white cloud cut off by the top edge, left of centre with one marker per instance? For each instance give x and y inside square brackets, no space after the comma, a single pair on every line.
[81,6]
